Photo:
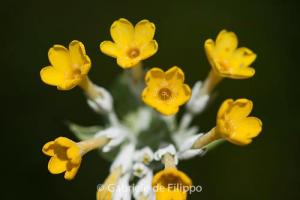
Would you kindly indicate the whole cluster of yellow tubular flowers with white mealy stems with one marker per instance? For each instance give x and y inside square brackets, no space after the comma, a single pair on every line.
[146,133]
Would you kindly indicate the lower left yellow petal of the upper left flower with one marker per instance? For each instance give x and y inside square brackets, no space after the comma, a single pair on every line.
[52,76]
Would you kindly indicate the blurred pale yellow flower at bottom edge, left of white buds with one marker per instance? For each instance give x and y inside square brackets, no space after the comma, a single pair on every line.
[105,192]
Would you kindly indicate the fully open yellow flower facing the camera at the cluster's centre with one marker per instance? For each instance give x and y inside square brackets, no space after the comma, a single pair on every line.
[166,91]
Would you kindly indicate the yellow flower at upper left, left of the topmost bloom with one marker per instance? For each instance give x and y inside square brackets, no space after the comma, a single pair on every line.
[68,67]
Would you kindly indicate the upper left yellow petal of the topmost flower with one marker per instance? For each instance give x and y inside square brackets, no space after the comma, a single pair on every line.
[122,32]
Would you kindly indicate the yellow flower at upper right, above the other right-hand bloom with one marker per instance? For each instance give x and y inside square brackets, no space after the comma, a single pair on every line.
[226,59]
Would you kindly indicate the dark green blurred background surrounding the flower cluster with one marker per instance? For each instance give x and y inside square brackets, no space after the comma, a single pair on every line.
[33,113]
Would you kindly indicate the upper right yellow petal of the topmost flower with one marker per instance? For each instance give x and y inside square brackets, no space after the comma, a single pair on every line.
[144,32]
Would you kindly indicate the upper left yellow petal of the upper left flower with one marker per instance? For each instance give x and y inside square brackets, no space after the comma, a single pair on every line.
[60,58]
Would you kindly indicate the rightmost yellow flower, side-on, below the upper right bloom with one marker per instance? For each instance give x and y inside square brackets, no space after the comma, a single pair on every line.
[234,124]
